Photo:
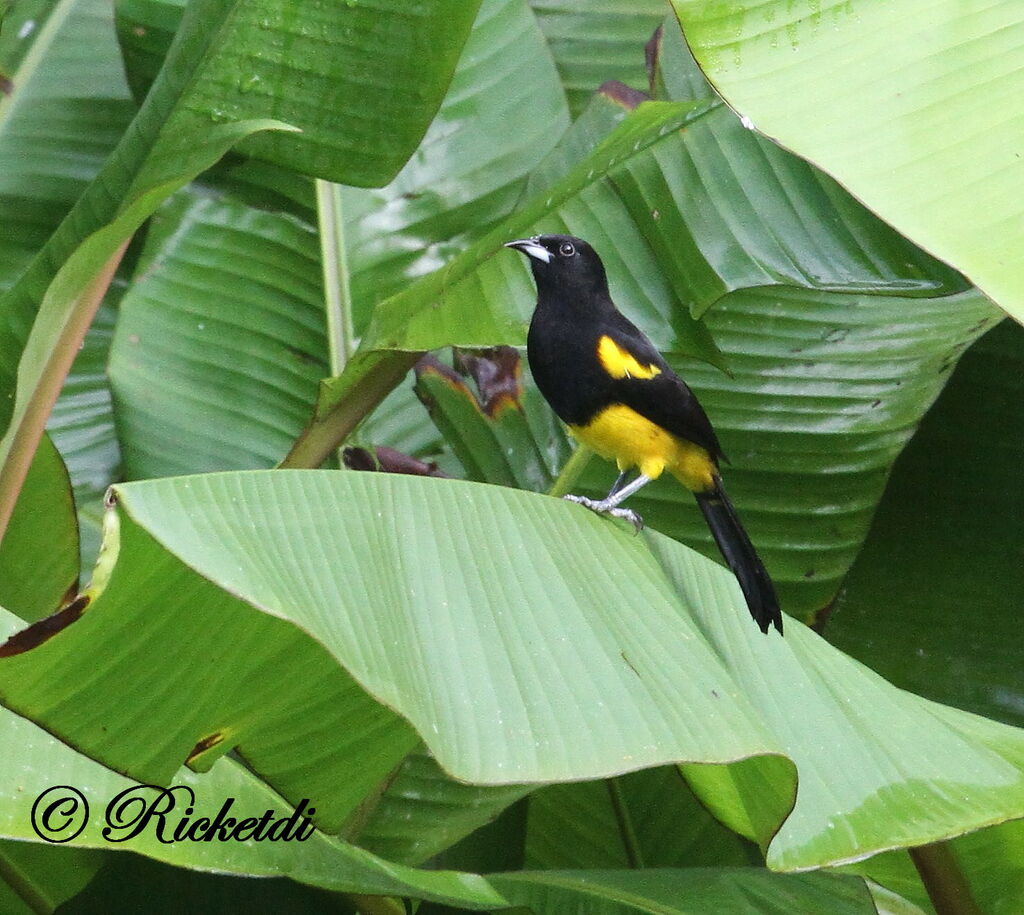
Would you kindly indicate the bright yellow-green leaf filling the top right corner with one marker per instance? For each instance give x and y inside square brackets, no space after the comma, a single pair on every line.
[915,106]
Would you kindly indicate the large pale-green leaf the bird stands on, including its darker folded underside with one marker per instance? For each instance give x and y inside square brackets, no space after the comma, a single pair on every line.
[581,630]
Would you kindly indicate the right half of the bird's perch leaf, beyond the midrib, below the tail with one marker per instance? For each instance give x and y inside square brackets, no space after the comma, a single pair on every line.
[839,704]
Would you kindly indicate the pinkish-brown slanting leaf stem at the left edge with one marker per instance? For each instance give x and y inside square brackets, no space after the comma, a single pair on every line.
[20,445]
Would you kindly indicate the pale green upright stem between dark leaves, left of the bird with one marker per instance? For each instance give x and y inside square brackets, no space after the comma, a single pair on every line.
[334,260]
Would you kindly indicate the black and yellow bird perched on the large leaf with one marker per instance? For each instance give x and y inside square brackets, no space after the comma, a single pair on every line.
[613,388]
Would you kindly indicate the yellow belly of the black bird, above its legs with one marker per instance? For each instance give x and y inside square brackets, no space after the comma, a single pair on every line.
[621,434]
